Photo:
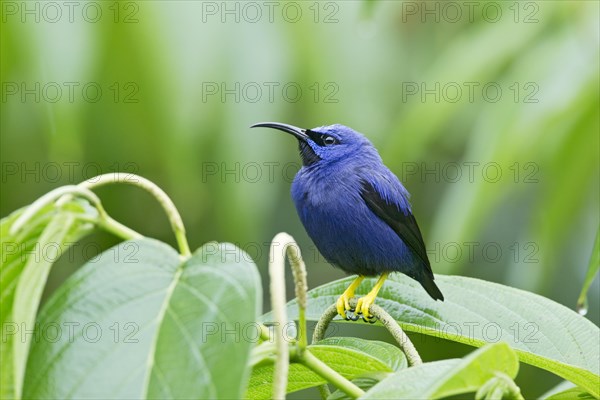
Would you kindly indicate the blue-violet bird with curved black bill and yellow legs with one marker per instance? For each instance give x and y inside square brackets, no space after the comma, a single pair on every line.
[356,212]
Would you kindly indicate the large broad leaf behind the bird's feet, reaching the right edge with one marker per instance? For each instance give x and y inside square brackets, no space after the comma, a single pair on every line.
[543,332]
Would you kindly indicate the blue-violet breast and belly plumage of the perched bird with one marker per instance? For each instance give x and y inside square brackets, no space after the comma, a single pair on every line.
[344,229]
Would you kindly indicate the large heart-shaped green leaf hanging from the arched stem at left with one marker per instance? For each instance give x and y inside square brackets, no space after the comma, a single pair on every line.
[141,323]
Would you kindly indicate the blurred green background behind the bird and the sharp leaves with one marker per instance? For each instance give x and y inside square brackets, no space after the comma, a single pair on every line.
[487,111]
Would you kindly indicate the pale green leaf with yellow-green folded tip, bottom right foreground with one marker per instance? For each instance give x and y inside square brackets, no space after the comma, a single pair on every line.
[449,377]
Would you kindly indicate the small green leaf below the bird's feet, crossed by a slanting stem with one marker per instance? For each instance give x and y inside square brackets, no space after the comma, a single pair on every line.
[348,356]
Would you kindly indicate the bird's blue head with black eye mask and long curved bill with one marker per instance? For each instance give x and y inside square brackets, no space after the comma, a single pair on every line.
[326,143]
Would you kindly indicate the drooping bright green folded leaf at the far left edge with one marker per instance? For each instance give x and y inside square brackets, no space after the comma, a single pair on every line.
[27,257]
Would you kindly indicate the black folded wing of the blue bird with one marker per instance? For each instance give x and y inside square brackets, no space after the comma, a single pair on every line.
[398,217]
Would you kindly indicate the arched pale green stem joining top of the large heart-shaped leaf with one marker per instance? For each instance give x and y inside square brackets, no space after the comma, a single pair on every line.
[164,200]
